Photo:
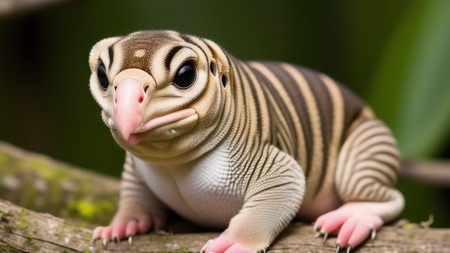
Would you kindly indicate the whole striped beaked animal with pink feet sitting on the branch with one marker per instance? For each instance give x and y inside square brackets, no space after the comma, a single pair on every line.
[246,146]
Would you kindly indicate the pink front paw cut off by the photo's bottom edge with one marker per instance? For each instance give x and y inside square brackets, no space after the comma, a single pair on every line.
[223,244]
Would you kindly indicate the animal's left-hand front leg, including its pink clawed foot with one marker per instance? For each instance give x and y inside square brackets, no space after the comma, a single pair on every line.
[139,209]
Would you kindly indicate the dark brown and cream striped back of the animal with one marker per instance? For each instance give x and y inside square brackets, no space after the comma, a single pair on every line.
[302,112]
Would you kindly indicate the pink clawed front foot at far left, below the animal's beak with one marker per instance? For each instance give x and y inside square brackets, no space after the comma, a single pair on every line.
[121,229]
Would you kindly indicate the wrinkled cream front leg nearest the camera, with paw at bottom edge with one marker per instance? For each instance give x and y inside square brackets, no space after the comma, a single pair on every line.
[275,190]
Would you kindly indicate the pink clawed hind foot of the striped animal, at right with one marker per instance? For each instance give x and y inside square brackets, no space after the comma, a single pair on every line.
[351,228]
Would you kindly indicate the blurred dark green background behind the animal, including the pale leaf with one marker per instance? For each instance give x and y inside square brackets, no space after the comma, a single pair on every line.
[393,53]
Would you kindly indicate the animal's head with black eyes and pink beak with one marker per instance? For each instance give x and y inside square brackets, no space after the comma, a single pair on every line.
[162,93]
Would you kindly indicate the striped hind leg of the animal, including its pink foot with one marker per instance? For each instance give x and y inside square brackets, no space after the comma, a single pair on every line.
[365,174]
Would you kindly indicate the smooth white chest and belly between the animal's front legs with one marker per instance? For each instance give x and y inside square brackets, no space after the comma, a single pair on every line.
[201,191]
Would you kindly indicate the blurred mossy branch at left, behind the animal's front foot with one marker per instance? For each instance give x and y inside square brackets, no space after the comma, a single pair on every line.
[40,183]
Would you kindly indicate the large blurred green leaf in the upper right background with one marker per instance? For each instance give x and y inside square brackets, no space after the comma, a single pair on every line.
[411,89]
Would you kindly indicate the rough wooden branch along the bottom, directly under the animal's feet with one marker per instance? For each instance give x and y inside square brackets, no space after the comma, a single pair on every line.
[23,230]
